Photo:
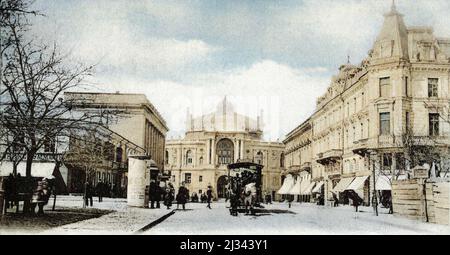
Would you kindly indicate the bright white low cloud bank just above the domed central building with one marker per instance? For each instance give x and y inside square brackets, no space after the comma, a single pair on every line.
[286,95]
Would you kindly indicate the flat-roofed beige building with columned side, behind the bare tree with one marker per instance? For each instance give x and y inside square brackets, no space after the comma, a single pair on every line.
[136,128]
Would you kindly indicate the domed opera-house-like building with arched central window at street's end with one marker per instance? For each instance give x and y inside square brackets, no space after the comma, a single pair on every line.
[213,141]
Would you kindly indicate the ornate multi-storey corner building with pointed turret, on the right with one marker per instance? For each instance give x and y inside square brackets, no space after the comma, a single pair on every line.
[363,126]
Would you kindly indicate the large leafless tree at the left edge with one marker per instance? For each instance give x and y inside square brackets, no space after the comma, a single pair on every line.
[34,81]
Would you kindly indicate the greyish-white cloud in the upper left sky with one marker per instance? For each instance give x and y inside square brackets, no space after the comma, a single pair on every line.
[104,33]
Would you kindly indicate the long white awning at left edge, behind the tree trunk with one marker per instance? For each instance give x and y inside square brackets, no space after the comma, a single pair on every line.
[38,169]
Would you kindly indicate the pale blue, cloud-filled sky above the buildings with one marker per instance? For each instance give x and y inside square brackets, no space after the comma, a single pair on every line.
[274,56]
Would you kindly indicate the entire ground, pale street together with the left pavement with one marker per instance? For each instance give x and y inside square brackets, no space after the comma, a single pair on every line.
[276,219]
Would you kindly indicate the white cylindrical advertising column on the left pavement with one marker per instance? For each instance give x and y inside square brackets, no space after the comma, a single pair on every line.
[138,179]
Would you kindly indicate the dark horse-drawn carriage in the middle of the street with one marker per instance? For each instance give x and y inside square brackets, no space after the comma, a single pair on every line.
[244,187]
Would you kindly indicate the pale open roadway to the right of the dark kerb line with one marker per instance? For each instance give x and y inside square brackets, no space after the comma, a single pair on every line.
[301,219]
